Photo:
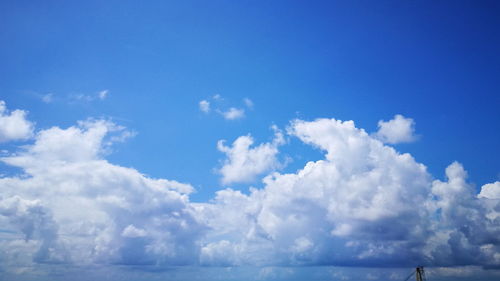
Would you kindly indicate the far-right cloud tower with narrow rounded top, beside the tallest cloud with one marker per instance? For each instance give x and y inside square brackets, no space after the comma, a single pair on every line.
[463,234]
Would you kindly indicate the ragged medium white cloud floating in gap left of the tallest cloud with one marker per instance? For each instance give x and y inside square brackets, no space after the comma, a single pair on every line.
[244,163]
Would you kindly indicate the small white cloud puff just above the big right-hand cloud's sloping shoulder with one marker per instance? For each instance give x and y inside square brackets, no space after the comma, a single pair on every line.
[397,130]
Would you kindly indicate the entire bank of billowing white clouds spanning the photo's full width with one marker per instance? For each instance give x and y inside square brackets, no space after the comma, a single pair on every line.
[364,204]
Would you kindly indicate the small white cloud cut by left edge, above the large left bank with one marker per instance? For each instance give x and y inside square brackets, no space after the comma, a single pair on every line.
[14,125]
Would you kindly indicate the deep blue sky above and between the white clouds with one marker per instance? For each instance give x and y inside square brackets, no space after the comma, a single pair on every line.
[436,62]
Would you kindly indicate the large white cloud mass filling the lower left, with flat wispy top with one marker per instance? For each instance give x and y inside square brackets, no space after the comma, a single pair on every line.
[74,206]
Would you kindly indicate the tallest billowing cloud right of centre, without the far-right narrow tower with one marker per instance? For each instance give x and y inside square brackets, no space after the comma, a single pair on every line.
[358,206]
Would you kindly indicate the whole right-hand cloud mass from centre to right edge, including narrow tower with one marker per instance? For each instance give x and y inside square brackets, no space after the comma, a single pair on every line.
[365,204]
